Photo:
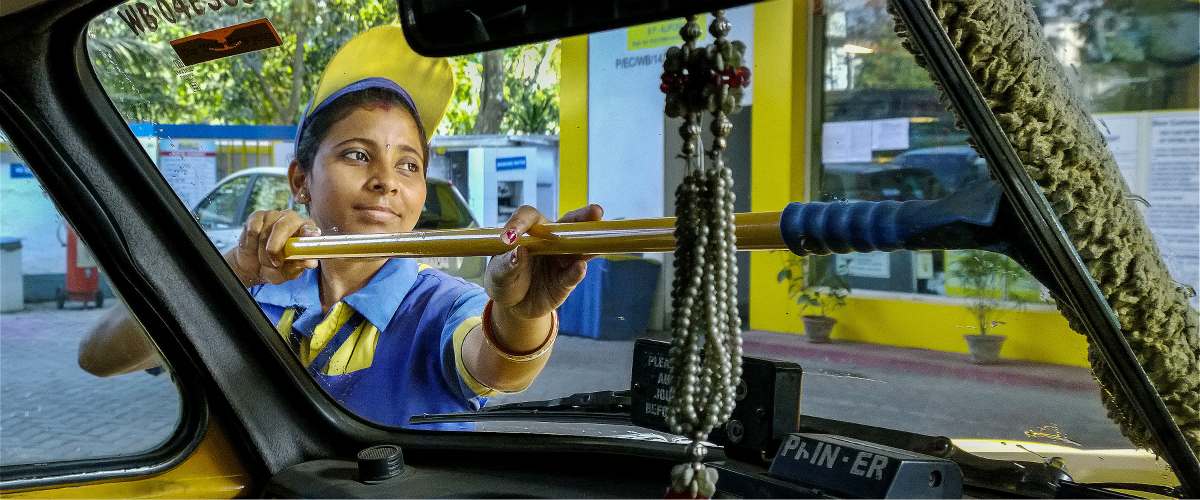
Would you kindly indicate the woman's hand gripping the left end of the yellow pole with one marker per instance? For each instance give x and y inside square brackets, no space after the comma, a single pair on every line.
[259,257]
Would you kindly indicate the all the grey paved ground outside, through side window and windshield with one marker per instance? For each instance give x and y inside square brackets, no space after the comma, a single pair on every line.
[50,409]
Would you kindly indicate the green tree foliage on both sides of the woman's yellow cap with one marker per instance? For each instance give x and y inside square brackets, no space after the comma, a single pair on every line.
[273,87]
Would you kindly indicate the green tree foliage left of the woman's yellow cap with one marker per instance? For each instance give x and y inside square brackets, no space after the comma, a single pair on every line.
[267,87]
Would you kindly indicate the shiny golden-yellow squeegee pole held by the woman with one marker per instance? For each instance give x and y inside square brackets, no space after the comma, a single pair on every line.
[755,231]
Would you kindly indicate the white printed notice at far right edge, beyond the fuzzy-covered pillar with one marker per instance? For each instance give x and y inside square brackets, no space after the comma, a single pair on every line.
[1174,194]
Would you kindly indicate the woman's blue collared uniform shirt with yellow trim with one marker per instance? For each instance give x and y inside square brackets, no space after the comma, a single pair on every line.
[422,316]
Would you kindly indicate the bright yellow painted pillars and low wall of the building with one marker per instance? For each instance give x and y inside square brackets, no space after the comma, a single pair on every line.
[779,170]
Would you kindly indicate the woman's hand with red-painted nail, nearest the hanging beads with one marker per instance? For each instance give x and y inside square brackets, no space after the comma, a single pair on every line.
[531,287]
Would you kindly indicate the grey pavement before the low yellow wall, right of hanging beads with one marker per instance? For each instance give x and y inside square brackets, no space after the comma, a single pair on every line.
[944,394]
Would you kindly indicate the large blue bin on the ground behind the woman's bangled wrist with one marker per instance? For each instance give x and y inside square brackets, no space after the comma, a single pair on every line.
[614,300]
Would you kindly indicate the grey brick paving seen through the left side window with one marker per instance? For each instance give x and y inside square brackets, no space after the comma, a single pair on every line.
[52,411]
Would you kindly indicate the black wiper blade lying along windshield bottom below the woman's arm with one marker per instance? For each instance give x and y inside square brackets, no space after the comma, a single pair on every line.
[603,407]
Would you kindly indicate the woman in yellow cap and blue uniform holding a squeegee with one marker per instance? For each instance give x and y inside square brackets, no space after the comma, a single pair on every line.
[386,338]
